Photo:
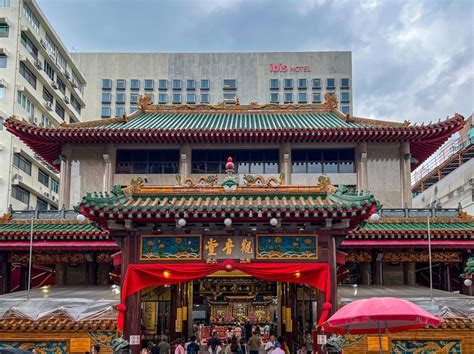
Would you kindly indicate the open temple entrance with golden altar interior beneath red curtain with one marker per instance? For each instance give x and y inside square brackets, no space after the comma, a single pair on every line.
[225,304]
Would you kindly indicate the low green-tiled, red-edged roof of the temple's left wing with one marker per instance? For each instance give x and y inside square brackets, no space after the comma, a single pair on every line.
[58,231]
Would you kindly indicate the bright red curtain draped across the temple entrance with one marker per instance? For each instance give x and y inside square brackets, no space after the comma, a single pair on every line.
[141,276]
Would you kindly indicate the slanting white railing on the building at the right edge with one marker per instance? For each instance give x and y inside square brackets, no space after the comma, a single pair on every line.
[448,150]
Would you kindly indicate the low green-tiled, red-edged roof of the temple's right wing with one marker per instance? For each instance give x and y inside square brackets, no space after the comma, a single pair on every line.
[449,228]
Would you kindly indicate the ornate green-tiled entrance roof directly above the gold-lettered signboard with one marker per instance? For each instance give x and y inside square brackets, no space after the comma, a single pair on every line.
[214,203]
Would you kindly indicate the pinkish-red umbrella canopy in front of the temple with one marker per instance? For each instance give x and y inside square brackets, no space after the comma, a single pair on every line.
[379,315]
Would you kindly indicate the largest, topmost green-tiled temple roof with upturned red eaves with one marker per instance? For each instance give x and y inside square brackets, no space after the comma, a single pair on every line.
[235,124]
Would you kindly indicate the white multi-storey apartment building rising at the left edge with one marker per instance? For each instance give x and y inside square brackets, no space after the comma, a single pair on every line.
[40,84]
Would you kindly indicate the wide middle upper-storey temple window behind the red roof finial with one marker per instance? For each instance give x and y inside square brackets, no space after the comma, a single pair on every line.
[246,161]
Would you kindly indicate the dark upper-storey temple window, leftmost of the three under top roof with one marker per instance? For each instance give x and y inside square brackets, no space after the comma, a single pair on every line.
[147,161]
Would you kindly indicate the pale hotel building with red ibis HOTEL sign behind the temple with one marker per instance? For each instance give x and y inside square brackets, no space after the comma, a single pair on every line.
[115,81]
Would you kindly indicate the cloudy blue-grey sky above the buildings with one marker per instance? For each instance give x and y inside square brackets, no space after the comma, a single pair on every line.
[411,59]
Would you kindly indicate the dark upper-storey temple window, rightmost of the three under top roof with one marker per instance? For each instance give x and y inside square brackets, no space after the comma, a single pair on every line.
[322,161]
